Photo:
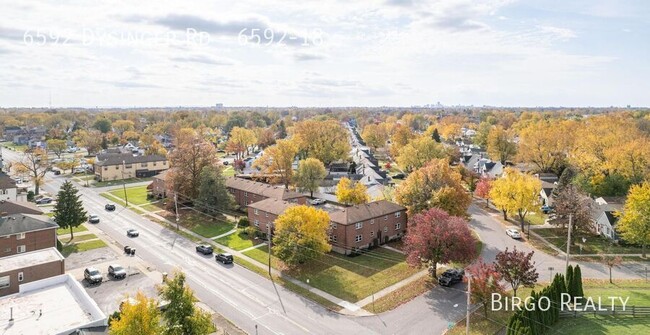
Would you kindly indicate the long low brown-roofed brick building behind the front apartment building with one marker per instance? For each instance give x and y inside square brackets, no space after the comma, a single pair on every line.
[247,192]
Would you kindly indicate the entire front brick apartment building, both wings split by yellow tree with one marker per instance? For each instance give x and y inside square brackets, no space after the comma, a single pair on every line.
[351,228]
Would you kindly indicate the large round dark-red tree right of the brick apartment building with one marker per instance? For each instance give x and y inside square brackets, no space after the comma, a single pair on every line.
[434,237]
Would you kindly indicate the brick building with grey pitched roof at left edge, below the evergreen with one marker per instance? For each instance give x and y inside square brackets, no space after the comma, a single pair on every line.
[20,233]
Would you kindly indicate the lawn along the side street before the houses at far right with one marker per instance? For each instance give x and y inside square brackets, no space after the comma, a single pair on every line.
[593,245]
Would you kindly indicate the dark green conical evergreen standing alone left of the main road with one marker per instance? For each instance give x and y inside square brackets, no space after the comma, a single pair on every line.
[69,211]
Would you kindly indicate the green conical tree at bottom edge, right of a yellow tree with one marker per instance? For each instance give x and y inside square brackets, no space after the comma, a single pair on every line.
[181,316]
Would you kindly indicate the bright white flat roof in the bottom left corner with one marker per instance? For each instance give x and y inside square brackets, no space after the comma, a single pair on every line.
[56,305]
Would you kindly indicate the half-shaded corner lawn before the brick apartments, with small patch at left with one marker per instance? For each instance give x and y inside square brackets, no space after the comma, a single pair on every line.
[348,278]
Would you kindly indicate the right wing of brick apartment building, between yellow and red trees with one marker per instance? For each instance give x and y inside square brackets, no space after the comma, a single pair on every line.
[358,227]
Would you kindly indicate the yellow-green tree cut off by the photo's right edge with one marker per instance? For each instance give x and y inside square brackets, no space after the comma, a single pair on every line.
[634,223]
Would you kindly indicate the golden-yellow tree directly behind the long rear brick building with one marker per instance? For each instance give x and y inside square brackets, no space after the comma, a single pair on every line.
[278,160]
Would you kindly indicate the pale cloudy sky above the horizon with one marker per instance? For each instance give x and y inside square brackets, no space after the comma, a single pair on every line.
[324,53]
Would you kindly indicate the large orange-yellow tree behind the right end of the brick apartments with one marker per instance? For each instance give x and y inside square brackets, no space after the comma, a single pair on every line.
[434,185]
